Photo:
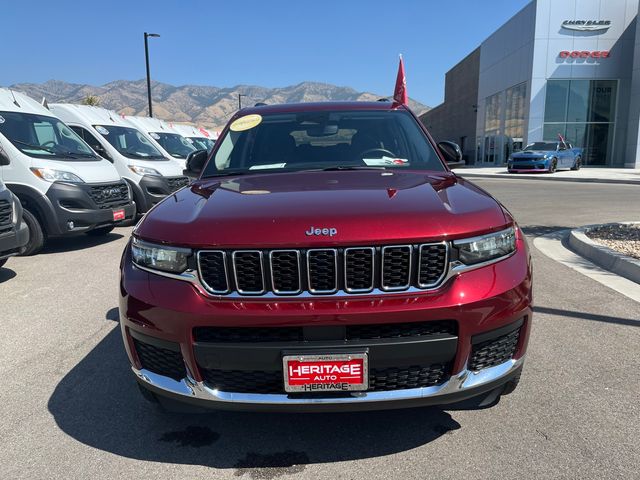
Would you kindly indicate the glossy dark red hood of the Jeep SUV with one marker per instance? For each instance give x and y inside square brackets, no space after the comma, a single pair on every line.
[364,207]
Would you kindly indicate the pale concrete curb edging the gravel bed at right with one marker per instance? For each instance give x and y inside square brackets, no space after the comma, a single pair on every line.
[613,261]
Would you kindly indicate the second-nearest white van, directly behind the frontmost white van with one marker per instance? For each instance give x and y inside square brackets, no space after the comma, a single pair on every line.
[150,174]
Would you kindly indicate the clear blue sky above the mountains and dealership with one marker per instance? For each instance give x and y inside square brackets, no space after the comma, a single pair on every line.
[270,42]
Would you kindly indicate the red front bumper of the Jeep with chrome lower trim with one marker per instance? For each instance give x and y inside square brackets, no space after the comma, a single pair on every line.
[482,303]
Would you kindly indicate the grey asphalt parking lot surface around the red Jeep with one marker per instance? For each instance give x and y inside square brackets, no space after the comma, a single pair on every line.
[71,408]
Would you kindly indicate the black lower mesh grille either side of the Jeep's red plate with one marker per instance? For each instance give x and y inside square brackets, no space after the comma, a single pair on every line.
[380,379]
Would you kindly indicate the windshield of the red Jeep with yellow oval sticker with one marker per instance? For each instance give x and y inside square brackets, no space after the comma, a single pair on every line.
[389,139]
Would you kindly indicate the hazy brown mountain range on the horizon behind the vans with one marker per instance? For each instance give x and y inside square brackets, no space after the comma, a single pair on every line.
[206,106]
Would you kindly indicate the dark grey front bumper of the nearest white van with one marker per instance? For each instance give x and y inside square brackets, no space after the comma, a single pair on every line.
[72,209]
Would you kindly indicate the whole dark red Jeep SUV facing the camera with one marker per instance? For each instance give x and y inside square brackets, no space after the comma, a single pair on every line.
[326,258]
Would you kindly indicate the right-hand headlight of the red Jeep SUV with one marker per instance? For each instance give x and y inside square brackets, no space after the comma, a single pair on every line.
[488,247]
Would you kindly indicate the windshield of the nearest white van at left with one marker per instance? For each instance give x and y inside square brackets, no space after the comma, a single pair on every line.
[41,136]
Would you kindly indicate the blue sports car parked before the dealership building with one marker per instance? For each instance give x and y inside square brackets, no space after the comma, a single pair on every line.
[545,157]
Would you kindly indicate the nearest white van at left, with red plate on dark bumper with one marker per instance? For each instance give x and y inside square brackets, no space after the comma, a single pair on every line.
[64,187]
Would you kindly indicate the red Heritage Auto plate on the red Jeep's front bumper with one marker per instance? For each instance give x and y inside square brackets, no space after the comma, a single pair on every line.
[326,373]
